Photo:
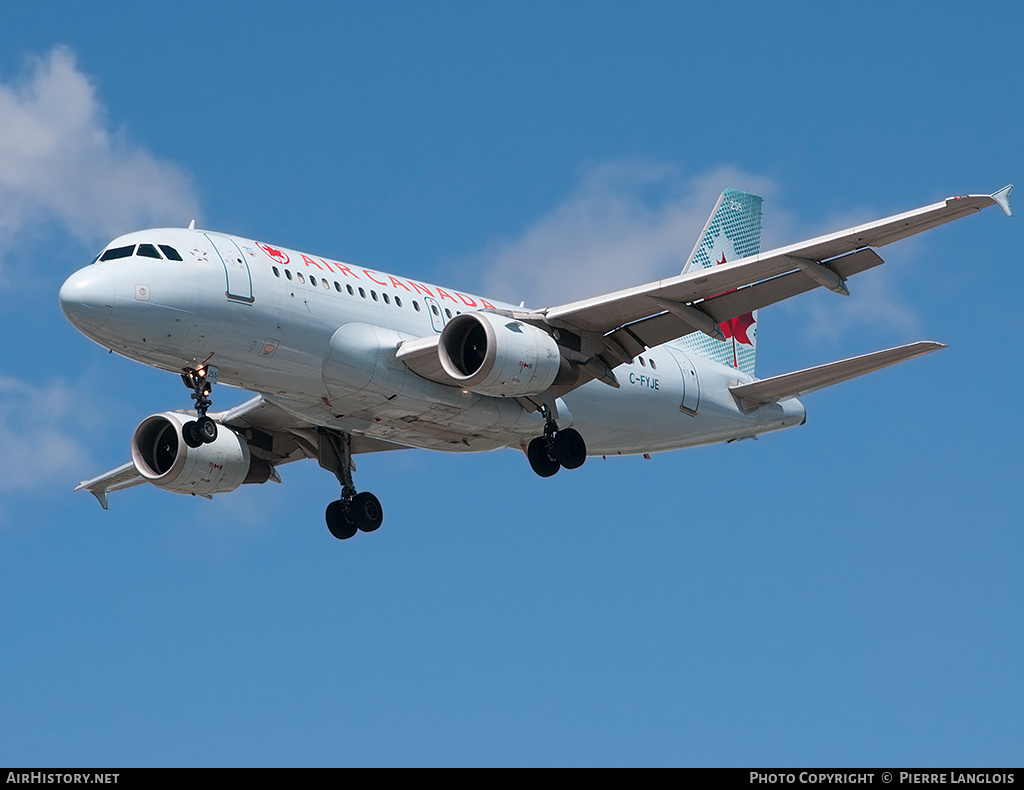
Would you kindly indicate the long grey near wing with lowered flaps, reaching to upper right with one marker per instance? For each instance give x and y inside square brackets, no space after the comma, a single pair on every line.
[613,329]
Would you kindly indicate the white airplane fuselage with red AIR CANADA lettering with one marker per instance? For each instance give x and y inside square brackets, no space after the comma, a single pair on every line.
[318,339]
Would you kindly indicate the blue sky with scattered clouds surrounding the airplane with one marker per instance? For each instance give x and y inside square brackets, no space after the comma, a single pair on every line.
[843,594]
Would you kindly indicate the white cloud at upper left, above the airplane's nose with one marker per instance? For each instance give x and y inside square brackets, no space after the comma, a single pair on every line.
[61,162]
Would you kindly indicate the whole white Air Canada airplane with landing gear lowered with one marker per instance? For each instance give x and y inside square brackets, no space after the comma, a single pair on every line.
[348,360]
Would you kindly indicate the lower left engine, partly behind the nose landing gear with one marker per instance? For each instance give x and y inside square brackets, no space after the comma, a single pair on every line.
[161,455]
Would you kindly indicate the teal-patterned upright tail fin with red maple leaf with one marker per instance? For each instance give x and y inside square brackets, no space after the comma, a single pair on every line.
[734,232]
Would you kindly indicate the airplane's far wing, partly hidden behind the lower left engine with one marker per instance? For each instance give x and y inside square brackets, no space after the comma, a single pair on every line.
[273,436]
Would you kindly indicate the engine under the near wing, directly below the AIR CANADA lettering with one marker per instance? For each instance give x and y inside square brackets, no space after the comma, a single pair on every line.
[496,356]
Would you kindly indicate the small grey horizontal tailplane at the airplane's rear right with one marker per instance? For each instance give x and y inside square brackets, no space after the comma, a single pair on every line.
[803,382]
